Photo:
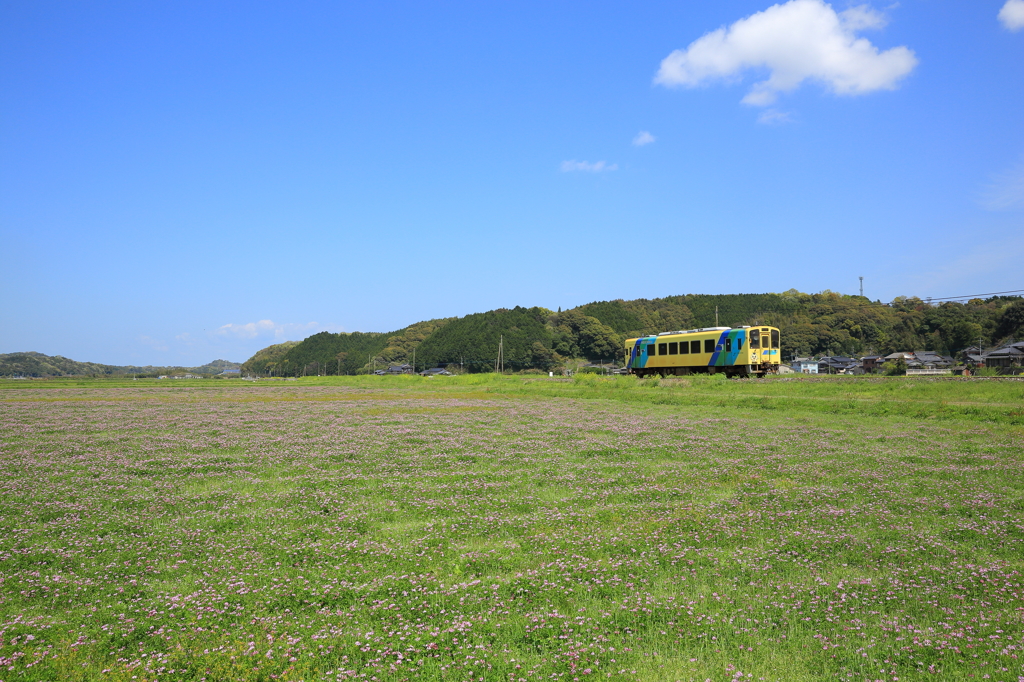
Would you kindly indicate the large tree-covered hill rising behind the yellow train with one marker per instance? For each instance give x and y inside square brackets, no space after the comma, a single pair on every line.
[541,339]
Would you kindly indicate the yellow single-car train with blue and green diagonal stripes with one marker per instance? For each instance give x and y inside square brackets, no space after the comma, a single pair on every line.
[745,352]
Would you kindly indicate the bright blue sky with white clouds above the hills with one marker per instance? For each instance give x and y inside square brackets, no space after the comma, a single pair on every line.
[186,182]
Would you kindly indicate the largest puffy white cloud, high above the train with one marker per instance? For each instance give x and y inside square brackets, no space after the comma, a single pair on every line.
[796,41]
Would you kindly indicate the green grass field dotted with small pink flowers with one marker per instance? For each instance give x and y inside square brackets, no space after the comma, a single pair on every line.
[513,529]
